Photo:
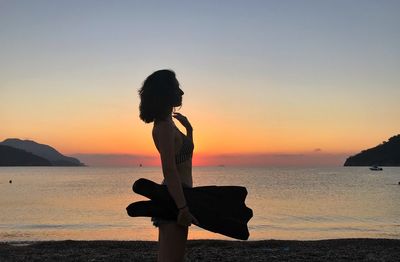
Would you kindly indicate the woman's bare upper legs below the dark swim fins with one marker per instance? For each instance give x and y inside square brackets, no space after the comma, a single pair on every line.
[172,240]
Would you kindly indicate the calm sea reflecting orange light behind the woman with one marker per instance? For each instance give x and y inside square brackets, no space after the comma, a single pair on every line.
[288,203]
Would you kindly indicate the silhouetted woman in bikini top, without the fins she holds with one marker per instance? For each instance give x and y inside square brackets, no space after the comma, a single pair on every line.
[159,96]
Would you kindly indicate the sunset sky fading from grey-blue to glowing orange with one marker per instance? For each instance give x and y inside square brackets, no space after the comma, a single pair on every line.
[265,82]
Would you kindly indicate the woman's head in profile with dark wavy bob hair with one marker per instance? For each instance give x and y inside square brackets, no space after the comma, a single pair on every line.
[159,94]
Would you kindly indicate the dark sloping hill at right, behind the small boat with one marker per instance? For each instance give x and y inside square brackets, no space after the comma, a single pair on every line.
[385,154]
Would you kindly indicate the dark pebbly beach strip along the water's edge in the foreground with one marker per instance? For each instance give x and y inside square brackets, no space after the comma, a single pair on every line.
[206,250]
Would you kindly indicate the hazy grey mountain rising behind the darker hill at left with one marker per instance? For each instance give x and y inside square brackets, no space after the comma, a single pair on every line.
[44,151]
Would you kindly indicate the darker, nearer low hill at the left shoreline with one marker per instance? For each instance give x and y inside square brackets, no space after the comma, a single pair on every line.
[10,156]
